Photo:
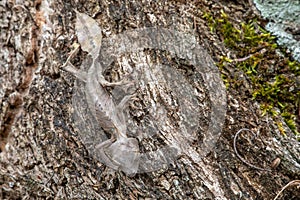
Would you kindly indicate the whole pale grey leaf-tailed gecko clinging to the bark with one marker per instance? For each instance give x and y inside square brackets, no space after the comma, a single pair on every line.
[119,152]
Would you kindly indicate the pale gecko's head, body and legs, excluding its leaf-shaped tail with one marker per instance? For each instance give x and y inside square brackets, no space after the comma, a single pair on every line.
[111,118]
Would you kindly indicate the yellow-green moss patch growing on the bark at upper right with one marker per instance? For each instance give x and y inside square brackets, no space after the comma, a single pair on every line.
[273,79]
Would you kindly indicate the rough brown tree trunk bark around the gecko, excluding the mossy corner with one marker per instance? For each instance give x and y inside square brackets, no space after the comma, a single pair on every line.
[49,139]
